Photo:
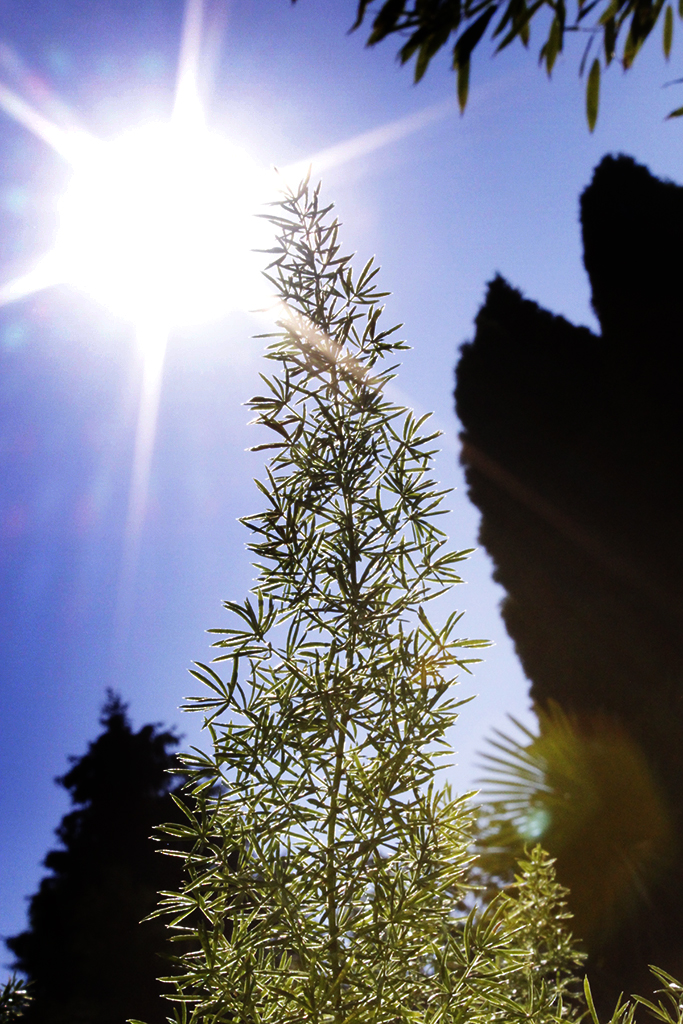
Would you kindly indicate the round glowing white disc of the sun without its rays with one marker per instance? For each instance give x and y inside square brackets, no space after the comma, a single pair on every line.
[160,226]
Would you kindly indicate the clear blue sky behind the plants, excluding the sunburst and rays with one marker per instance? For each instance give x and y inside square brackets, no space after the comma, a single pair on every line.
[444,208]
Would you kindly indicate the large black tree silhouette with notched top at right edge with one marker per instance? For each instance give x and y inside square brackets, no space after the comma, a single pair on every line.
[573,445]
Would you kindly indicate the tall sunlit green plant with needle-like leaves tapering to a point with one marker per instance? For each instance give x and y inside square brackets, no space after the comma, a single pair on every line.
[328,875]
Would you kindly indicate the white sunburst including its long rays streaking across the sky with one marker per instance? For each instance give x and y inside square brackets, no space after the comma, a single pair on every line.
[160,228]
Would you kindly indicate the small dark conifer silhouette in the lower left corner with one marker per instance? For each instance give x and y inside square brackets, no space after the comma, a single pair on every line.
[87,954]
